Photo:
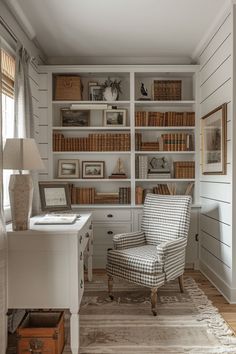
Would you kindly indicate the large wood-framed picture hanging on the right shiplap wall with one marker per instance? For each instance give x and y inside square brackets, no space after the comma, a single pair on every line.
[213,130]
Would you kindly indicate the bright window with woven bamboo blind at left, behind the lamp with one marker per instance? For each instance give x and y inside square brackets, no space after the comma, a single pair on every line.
[8,76]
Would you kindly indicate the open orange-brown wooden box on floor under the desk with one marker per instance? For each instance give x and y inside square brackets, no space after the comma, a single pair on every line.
[41,332]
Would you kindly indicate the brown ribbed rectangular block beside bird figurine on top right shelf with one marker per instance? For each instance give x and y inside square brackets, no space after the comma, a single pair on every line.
[167,90]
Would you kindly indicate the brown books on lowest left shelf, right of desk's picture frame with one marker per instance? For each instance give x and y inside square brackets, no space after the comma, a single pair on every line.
[90,196]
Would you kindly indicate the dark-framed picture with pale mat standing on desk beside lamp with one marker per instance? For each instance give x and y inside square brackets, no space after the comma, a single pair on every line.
[54,196]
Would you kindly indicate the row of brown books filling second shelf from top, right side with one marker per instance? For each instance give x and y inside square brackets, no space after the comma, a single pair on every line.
[164,119]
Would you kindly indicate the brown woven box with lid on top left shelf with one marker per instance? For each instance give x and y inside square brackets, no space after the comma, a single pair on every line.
[67,87]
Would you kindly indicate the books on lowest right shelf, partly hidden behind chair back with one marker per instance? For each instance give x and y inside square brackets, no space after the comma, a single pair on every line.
[164,189]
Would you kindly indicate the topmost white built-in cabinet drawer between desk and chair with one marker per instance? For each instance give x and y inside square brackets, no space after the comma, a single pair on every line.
[111,215]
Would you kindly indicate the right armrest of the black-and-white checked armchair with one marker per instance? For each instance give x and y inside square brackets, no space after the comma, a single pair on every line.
[167,248]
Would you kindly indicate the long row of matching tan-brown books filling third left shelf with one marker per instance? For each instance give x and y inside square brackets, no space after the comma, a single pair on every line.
[94,142]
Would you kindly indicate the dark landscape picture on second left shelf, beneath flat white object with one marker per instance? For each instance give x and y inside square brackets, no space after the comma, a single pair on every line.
[74,118]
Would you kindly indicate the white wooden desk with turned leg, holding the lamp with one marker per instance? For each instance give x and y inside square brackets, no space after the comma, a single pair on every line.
[46,268]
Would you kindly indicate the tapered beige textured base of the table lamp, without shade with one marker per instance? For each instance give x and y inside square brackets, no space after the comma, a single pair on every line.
[21,197]
